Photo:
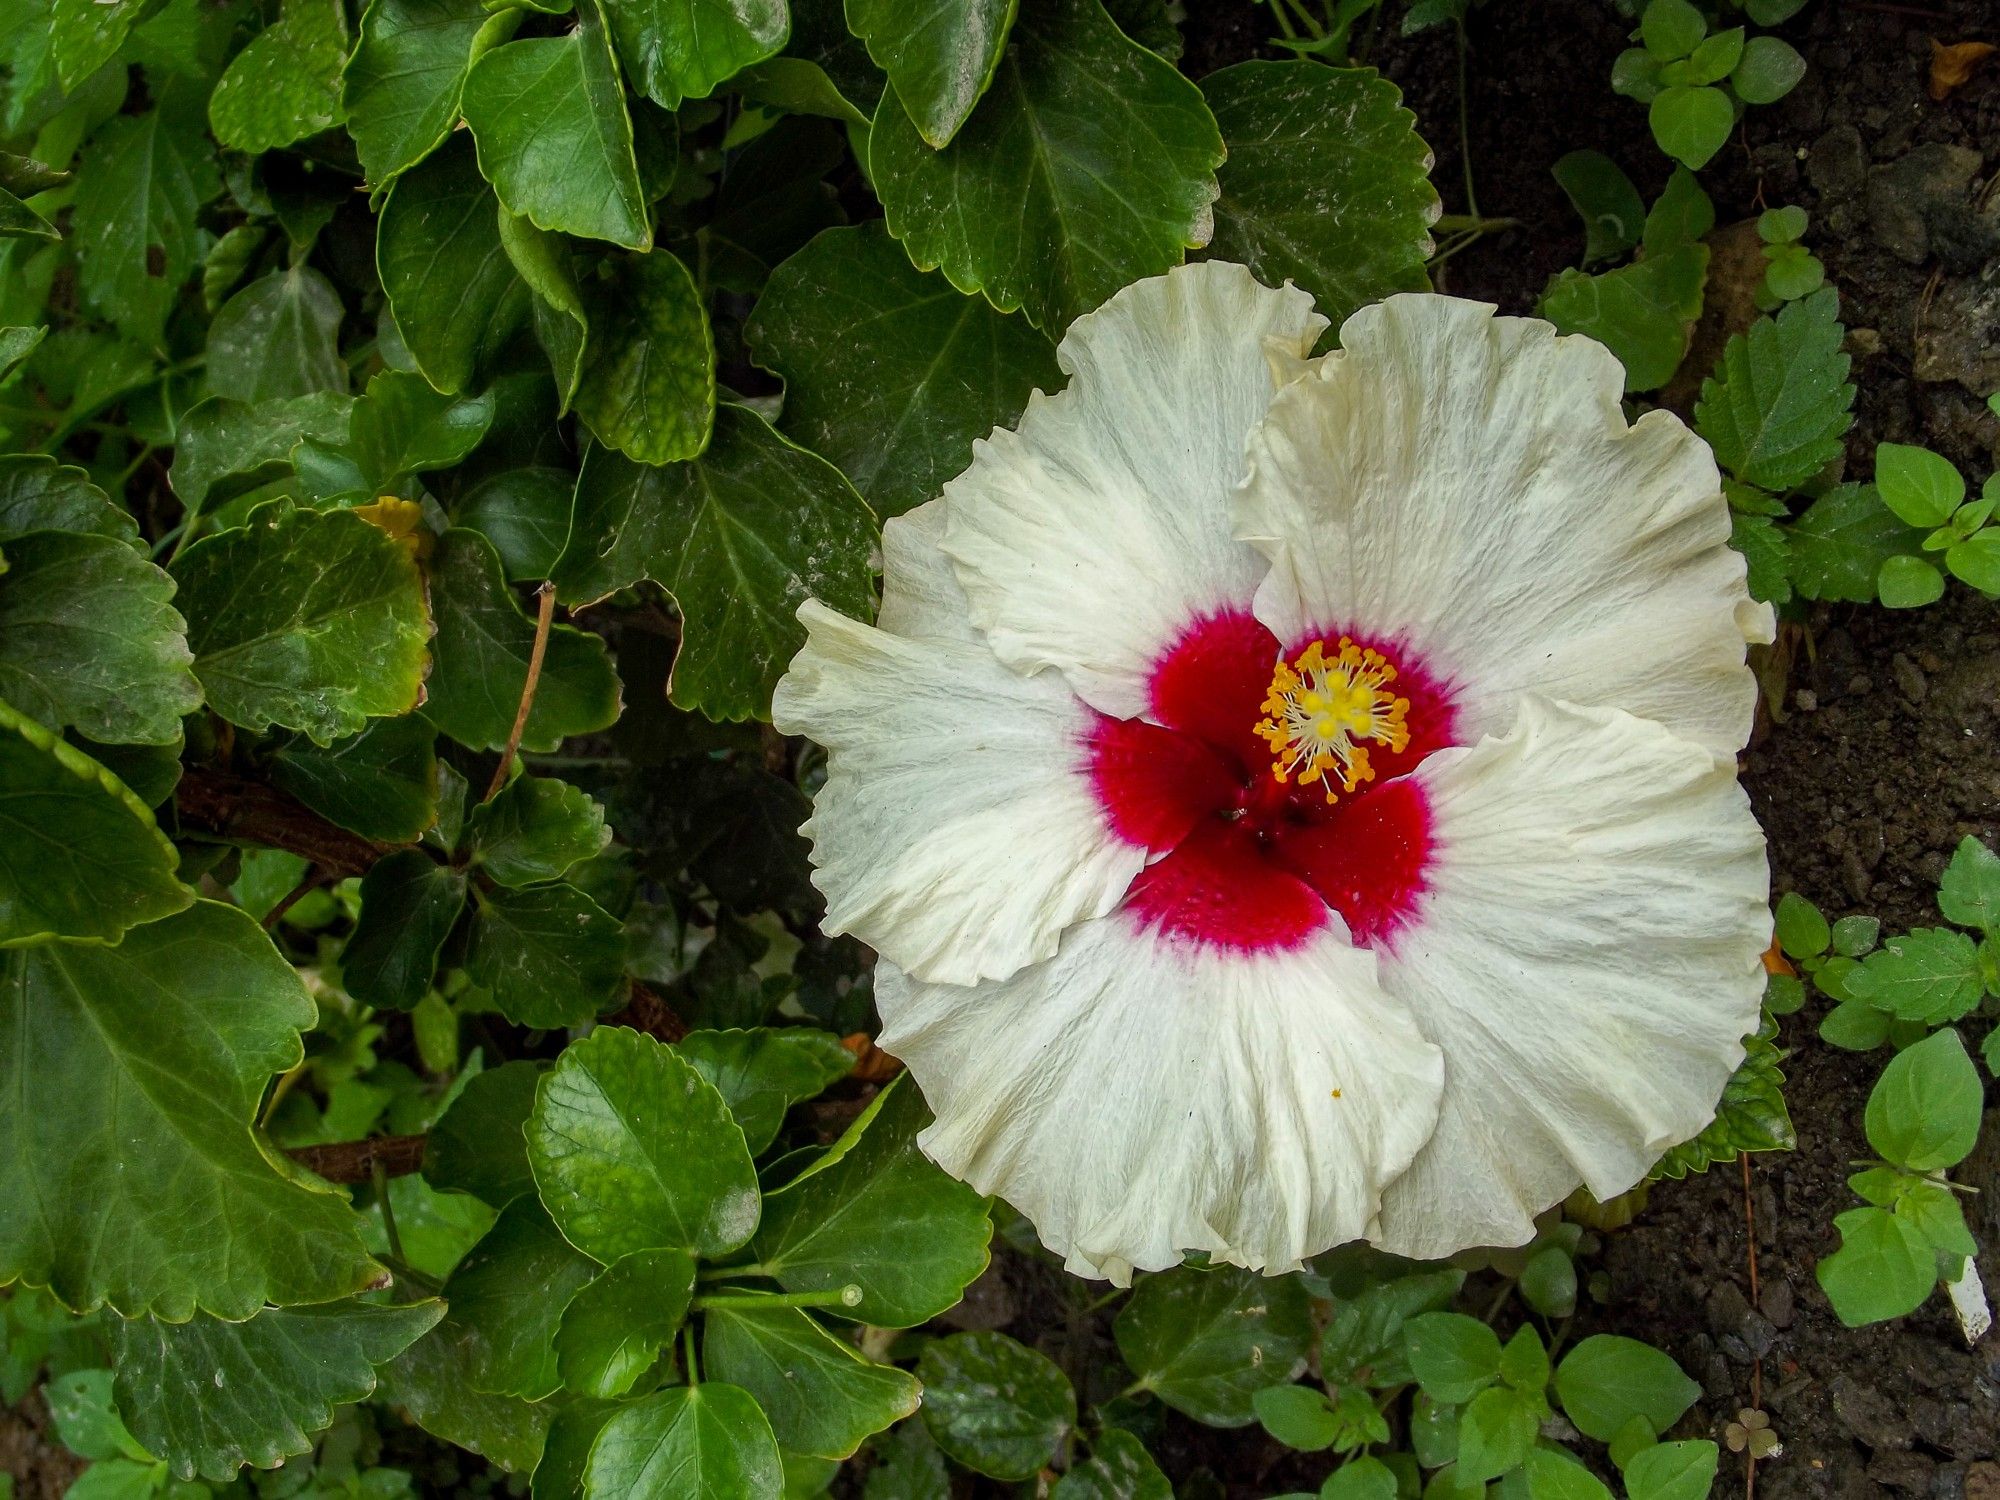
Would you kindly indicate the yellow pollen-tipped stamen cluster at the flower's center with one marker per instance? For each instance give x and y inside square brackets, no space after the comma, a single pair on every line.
[1323,713]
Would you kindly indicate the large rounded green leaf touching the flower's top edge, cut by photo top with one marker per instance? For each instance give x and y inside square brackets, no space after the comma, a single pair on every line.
[1087,167]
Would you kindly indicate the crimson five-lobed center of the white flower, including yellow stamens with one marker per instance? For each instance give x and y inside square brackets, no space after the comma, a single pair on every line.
[1273,787]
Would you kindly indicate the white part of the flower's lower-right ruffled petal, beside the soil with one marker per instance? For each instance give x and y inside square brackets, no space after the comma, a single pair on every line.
[1589,959]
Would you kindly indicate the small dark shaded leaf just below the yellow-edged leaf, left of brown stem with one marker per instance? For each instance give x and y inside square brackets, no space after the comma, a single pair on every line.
[381,783]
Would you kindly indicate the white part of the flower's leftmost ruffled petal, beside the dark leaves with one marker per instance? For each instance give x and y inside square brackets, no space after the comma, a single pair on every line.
[957,833]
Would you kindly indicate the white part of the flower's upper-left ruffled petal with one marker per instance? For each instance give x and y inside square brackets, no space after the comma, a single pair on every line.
[1097,531]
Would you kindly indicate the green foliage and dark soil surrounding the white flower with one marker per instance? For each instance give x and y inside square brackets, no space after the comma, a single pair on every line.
[421,421]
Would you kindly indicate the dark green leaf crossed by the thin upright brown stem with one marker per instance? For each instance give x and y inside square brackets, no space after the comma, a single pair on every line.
[483,653]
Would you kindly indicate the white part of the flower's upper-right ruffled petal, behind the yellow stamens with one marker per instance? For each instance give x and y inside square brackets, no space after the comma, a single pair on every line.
[1469,487]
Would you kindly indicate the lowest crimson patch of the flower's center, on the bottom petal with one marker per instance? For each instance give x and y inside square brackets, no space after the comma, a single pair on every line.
[1219,889]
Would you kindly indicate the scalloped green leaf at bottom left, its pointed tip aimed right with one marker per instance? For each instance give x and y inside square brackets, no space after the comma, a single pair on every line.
[211,1397]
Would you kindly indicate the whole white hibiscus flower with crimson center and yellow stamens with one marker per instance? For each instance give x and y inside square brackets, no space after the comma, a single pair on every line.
[1295,801]
